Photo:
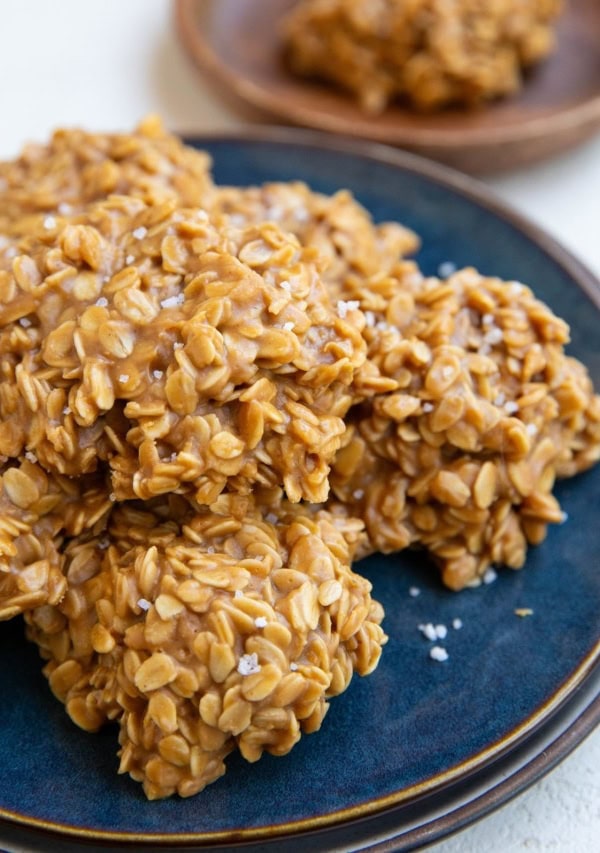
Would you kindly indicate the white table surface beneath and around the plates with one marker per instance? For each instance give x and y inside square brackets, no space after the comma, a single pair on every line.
[103,66]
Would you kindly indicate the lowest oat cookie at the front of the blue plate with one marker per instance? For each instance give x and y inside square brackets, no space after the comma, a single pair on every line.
[215,630]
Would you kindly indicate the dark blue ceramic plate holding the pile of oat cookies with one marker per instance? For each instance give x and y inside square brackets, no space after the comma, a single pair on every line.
[415,732]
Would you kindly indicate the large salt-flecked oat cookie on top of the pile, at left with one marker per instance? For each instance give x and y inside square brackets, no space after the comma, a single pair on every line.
[188,357]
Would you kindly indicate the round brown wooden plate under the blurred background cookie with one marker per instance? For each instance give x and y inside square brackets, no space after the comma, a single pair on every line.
[236,42]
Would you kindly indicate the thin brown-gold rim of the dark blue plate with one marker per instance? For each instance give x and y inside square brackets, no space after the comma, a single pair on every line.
[582,277]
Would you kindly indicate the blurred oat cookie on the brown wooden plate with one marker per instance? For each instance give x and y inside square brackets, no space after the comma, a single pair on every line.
[433,53]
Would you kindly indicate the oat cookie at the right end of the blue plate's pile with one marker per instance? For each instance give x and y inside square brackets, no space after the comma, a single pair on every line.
[462,456]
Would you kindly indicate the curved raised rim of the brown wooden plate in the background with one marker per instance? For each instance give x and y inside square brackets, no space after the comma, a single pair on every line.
[207,60]
